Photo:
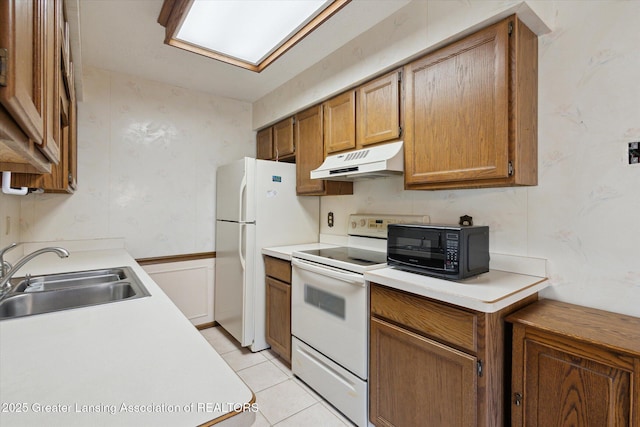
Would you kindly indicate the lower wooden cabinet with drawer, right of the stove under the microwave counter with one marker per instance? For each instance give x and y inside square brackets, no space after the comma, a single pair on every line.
[435,364]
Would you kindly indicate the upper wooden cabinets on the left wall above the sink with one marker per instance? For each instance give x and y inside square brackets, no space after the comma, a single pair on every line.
[38,130]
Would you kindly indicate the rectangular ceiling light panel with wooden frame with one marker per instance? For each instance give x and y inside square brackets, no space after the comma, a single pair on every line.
[248,34]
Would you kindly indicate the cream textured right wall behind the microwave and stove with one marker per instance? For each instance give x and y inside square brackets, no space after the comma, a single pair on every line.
[583,215]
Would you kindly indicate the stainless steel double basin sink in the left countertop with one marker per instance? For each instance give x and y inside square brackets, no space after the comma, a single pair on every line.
[55,292]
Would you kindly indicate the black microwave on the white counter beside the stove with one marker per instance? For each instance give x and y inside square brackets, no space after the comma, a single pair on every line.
[446,251]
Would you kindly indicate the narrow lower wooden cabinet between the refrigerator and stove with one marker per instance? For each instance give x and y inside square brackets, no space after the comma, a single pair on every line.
[278,300]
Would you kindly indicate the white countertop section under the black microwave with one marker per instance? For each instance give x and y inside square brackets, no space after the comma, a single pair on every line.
[488,292]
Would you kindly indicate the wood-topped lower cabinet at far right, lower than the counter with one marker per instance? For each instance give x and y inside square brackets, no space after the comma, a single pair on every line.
[574,366]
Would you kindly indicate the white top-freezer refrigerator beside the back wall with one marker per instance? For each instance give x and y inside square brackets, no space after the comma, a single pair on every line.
[256,207]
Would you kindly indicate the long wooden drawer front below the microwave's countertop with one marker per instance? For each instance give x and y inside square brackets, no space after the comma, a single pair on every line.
[442,322]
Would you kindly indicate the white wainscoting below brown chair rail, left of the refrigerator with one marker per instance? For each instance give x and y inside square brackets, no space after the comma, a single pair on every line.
[189,284]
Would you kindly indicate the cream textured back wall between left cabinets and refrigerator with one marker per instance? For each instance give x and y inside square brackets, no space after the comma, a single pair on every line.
[147,158]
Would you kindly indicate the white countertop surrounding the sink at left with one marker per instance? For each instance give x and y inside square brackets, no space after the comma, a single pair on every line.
[127,363]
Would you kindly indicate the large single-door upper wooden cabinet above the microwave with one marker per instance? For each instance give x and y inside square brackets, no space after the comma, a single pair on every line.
[471,111]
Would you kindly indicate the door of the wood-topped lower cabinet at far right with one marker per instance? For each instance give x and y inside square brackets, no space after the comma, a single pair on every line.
[563,389]
